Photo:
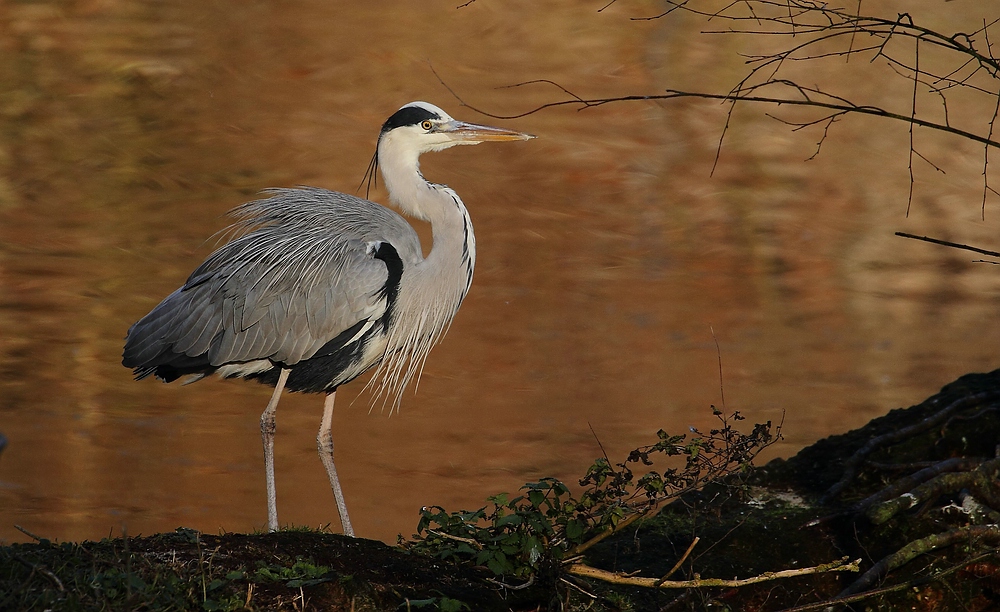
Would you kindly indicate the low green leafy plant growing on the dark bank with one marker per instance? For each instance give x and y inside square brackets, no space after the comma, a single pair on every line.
[547,525]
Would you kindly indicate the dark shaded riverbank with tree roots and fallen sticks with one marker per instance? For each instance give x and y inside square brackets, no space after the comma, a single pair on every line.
[912,496]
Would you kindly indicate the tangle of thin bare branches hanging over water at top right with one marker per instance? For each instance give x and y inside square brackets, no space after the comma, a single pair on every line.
[942,63]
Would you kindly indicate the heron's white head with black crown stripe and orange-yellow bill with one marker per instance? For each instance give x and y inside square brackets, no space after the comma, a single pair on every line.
[419,127]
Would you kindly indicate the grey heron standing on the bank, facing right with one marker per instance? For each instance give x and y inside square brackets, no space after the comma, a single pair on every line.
[317,287]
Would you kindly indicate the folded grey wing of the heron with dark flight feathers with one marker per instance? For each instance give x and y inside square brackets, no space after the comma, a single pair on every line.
[303,269]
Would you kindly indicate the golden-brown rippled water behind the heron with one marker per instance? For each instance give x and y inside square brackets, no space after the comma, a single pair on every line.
[607,254]
